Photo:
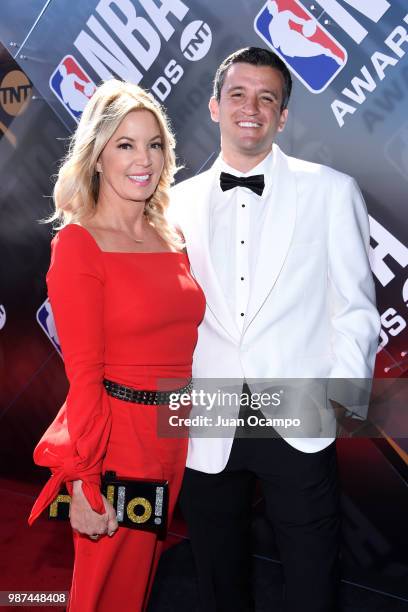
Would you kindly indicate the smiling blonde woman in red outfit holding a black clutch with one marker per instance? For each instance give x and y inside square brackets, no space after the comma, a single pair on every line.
[126,309]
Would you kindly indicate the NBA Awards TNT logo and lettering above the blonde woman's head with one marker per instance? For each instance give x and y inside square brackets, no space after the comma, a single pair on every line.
[118,21]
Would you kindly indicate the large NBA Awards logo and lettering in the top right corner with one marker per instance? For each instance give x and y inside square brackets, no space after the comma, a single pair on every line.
[316,57]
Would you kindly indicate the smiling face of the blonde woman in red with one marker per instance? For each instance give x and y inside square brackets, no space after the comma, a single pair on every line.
[132,160]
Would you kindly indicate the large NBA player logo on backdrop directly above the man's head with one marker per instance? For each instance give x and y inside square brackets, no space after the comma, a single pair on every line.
[312,54]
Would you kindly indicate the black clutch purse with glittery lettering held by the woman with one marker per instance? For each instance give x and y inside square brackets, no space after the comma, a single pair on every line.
[139,503]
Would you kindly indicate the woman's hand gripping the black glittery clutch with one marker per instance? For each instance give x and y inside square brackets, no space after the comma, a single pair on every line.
[87,521]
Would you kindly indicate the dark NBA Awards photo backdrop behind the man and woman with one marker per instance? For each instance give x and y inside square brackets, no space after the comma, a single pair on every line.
[348,110]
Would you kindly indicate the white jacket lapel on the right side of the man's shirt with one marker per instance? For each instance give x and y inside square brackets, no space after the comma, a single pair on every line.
[276,236]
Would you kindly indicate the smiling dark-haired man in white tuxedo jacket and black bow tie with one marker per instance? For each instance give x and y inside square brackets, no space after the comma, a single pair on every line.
[289,294]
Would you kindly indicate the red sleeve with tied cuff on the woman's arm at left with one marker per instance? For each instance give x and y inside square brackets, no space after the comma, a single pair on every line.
[74,445]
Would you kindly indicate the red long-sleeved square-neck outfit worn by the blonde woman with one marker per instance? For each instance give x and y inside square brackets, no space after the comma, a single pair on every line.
[131,318]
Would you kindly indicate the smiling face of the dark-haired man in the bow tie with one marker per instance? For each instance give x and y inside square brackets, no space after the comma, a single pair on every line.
[249,113]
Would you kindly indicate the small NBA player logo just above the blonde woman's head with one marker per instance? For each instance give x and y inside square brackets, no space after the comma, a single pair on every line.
[72,86]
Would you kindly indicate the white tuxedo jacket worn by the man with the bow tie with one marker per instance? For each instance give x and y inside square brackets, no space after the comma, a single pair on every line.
[311,311]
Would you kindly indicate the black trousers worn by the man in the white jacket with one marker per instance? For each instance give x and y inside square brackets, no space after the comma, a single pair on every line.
[302,504]
